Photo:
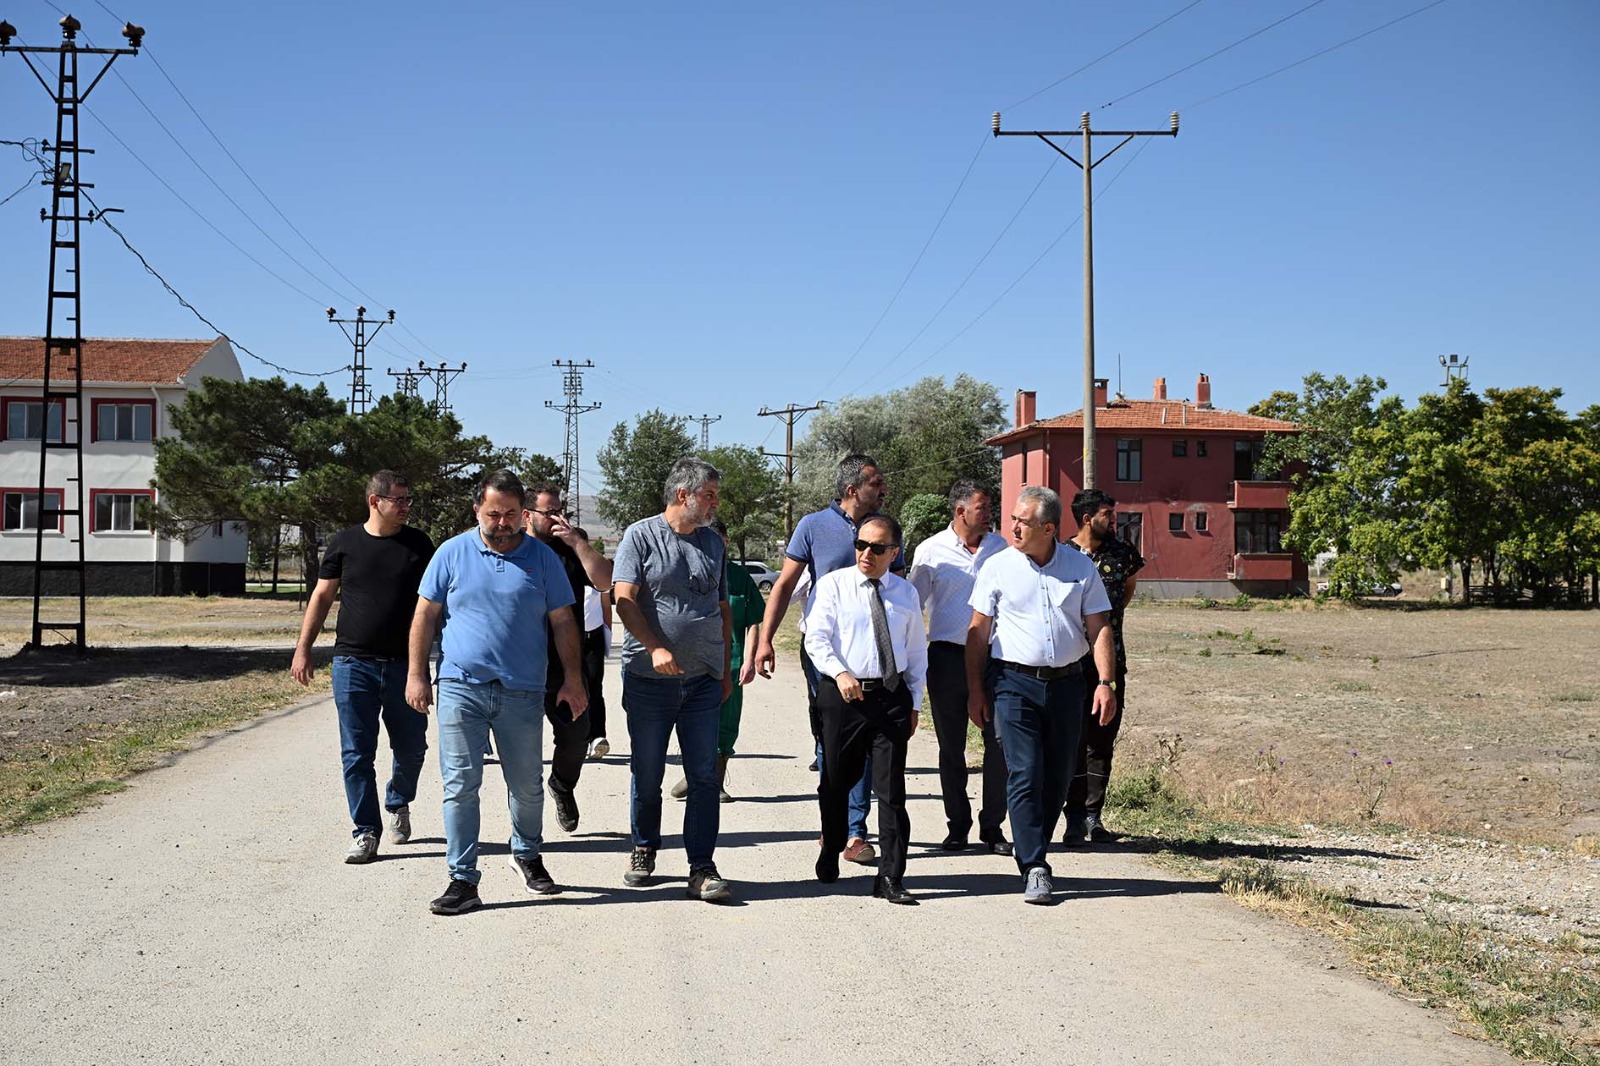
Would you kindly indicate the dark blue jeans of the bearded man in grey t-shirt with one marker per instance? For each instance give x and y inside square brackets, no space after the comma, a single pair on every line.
[655,707]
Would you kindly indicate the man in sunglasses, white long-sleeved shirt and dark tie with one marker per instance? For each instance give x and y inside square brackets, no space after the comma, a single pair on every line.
[866,638]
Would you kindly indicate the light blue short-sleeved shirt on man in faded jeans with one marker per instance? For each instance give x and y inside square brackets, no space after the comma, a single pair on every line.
[495,609]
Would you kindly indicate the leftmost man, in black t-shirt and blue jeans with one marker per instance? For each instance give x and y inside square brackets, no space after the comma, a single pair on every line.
[375,571]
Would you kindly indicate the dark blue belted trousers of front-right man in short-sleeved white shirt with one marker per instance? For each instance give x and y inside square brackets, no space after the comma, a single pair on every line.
[1039,726]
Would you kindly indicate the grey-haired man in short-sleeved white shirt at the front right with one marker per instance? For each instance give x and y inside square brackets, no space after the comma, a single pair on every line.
[1038,611]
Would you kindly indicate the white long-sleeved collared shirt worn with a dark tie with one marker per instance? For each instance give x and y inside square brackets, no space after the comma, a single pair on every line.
[839,630]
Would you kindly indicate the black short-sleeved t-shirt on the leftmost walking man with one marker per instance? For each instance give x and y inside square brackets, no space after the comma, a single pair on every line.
[378,580]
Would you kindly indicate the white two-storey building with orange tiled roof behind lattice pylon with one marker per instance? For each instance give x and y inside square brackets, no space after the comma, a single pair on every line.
[127,390]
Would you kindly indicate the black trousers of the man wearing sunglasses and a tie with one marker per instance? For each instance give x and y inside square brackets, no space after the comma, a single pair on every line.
[876,726]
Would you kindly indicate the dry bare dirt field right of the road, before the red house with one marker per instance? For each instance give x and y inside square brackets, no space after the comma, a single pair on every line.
[1473,721]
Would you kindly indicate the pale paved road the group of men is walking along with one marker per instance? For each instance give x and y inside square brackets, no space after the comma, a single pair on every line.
[206,916]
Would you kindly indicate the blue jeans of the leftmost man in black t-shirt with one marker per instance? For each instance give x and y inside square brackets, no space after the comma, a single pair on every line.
[367,692]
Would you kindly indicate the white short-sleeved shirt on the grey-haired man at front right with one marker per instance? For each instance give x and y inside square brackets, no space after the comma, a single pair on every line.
[1041,612]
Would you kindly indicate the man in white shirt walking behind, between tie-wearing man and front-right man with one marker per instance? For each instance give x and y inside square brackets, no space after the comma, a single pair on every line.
[943,575]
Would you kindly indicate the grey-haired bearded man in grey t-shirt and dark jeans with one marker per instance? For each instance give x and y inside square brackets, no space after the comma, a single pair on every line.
[673,596]
